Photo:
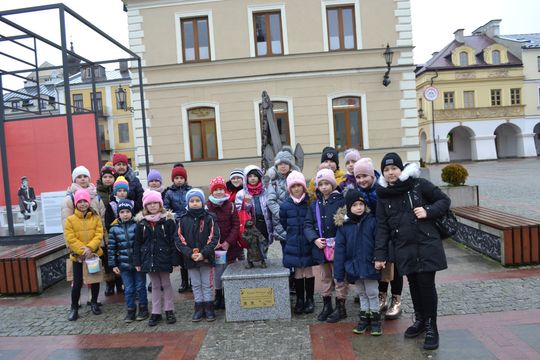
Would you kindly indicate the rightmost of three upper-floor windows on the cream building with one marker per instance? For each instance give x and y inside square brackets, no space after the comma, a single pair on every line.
[341,28]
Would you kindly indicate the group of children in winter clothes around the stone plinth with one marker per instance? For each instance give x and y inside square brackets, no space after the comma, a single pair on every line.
[327,222]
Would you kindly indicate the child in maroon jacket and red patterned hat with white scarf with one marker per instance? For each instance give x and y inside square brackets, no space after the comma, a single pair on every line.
[227,218]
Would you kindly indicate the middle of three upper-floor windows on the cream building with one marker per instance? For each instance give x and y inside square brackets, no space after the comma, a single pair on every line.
[268,34]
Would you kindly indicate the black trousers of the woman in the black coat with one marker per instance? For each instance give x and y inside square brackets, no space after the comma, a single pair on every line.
[423,293]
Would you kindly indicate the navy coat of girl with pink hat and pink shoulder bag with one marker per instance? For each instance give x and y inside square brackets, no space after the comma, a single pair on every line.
[328,209]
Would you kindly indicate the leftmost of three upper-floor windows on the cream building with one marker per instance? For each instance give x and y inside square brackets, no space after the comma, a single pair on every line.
[195,39]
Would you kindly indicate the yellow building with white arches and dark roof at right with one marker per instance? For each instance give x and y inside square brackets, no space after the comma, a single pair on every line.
[487,107]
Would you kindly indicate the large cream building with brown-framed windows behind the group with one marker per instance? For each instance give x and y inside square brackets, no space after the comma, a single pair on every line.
[206,63]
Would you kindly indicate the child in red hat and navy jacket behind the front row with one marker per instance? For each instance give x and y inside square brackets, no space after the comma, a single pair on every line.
[175,201]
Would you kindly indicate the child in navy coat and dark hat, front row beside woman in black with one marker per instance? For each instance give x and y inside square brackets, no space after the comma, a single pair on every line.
[353,258]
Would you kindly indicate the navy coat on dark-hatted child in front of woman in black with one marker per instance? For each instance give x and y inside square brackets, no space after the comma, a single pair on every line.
[355,245]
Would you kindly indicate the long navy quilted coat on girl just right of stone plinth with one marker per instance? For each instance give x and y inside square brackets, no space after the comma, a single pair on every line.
[298,252]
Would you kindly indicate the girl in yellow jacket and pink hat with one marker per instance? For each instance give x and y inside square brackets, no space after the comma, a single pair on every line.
[83,232]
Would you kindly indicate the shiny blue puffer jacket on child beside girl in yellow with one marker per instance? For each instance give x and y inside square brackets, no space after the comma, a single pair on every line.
[121,244]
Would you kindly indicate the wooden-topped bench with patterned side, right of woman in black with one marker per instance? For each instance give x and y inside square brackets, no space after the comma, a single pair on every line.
[507,238]
